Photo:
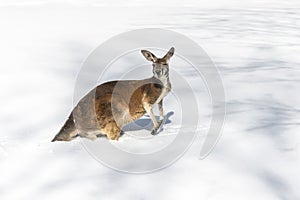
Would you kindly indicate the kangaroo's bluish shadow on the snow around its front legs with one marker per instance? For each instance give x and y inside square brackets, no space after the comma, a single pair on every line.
[146,123]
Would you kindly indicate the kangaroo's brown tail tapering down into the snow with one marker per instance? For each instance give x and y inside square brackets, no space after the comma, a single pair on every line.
[67,132]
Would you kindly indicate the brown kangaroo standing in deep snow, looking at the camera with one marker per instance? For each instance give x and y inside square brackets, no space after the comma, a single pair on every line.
[111,105]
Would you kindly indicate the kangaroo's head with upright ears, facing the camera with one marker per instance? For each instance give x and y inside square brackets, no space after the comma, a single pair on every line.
[160,65]
